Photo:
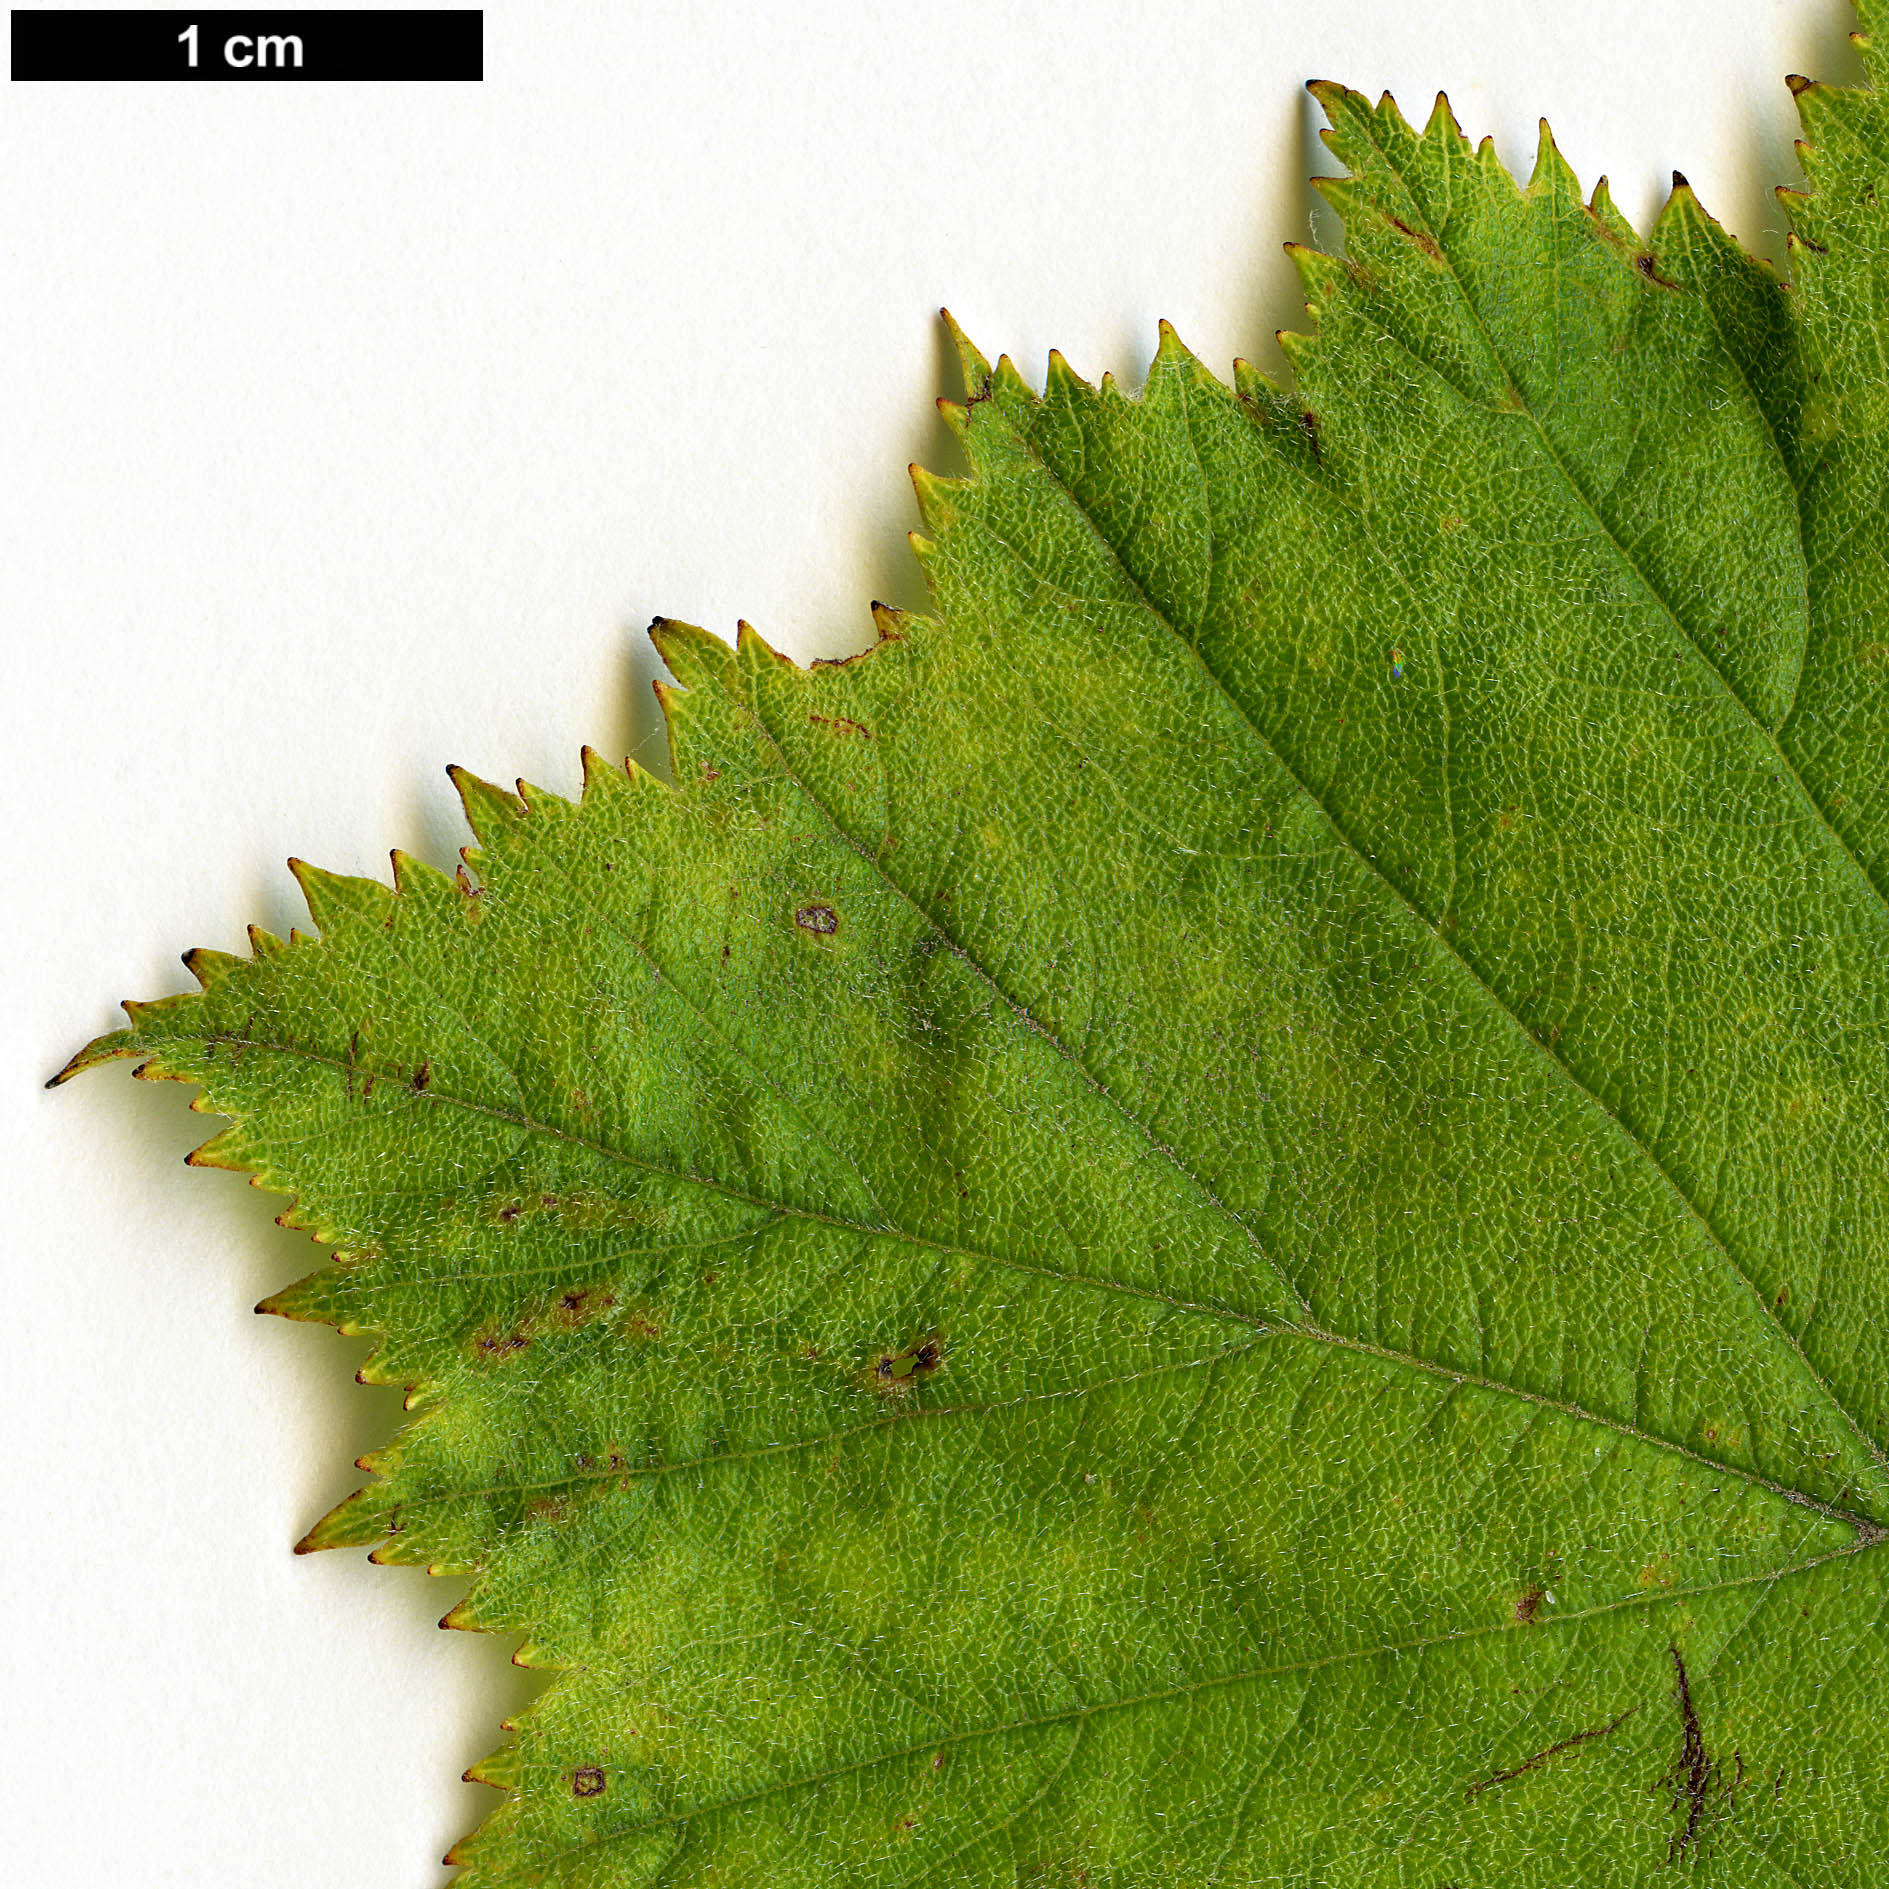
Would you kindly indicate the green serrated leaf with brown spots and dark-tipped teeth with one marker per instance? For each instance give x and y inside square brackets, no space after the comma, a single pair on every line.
[1219,1217]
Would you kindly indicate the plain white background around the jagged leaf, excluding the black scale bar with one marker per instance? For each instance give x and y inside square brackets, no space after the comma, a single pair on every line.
[360,430]
